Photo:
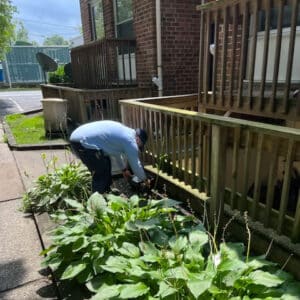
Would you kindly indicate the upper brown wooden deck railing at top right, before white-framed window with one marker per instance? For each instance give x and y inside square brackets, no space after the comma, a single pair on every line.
[255,68]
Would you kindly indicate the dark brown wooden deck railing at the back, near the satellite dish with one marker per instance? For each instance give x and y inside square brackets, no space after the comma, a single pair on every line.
[106,63]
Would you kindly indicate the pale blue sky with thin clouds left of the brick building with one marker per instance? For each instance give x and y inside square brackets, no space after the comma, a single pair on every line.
[44,18]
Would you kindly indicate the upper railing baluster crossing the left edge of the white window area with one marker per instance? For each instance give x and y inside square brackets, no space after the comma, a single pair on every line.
[253,54]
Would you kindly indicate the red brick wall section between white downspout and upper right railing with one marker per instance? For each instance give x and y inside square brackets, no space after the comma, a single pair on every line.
[180,46]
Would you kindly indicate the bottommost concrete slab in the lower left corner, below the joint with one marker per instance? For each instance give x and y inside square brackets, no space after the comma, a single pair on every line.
[40,289]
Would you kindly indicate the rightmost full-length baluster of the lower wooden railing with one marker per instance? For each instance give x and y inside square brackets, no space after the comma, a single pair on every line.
[286,185]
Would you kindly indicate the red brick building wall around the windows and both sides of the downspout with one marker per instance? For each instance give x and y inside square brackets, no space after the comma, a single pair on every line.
[180,41]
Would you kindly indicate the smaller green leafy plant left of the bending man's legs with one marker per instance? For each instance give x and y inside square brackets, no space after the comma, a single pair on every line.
[71,180]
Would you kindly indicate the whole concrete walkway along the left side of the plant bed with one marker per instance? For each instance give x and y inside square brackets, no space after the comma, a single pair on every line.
[21,275]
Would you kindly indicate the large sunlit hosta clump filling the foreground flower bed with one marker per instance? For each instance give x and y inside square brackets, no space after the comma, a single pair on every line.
[131,249]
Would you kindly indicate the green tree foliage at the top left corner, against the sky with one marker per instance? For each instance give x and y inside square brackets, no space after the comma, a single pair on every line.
[7,26]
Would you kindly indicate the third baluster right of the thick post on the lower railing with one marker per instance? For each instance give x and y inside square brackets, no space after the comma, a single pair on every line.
[257,183]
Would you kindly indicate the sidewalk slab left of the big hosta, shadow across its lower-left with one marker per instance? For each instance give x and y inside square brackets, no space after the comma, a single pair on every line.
[19,247]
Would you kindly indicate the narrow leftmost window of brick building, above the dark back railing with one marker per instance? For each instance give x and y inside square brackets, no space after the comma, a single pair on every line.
[97,20]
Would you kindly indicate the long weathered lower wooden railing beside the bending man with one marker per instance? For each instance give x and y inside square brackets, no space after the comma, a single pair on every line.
[240,164]
